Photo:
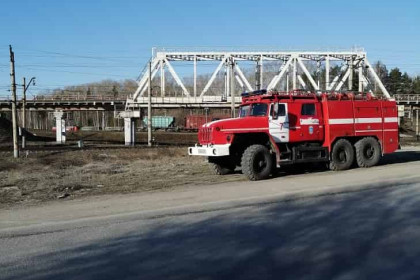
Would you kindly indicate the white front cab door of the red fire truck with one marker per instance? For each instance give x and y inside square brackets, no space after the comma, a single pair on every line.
[278,122]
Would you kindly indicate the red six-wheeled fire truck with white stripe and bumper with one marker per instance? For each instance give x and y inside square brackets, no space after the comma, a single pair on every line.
[276,129]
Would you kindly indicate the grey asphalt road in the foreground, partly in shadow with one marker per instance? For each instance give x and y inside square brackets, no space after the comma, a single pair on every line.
[357,224]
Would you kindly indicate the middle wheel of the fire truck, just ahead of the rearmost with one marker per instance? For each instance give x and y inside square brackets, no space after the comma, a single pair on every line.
[342,155]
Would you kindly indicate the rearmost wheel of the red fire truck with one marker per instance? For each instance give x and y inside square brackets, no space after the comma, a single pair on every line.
[368,152]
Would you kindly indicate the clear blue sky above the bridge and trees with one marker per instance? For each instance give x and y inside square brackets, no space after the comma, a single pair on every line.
[74,42]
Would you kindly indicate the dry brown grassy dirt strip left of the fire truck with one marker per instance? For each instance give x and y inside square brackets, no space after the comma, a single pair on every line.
[54,175]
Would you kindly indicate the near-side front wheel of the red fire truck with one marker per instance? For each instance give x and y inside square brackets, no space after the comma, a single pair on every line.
[257,162]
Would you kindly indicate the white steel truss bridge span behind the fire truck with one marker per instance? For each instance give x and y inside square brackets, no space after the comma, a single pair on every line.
[296,70]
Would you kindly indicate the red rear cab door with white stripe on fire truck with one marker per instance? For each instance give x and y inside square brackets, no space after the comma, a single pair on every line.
[311,124]
